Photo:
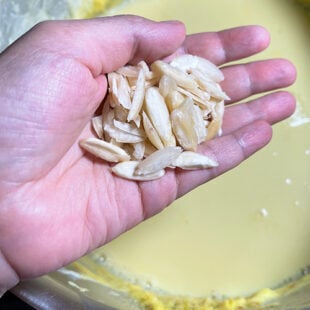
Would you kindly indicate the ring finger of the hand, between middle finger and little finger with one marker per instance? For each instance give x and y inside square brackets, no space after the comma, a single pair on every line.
[271,108]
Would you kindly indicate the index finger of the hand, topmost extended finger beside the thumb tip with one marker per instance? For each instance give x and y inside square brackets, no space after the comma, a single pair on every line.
[227,45]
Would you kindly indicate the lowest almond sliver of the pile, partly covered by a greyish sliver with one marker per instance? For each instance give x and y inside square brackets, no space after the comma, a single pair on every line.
[127,170]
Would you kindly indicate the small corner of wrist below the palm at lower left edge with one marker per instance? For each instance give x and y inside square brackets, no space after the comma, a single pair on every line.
[8,276]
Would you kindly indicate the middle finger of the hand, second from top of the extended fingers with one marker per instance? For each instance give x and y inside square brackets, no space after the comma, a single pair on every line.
[244,80]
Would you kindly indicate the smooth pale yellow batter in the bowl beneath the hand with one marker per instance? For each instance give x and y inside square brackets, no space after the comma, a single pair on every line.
[247,230]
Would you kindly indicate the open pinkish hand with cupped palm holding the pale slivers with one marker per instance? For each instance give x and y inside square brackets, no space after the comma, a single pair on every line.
[56,203]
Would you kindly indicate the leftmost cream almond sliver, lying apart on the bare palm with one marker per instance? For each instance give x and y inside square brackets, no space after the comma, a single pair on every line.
[104,150]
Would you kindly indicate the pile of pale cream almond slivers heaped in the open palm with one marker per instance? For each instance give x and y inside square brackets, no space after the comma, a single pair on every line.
[155,117]
